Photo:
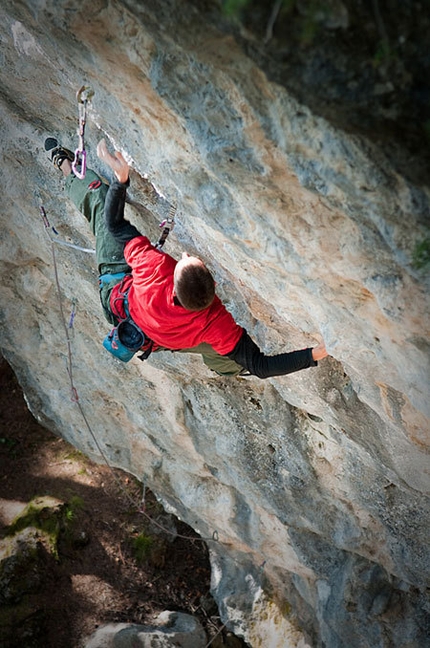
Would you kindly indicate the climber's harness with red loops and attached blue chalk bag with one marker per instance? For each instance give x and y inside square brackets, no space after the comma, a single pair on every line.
[127,338]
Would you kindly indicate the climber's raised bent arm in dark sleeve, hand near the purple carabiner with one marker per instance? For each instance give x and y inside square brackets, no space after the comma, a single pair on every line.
[120,228]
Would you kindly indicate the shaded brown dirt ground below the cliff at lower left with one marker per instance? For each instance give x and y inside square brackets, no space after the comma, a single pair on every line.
[114,565]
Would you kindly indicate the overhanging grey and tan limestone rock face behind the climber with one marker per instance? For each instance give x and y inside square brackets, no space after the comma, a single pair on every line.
[312,489]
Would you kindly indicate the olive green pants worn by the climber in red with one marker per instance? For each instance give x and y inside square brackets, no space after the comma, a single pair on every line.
[89,197]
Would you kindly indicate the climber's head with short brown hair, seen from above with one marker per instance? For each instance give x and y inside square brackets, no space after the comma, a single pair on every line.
[194,284]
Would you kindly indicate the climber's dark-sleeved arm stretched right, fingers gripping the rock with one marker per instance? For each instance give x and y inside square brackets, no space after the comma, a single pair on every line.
[248,355]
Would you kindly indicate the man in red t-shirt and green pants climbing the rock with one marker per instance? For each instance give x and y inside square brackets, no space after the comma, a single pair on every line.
[172,302]
